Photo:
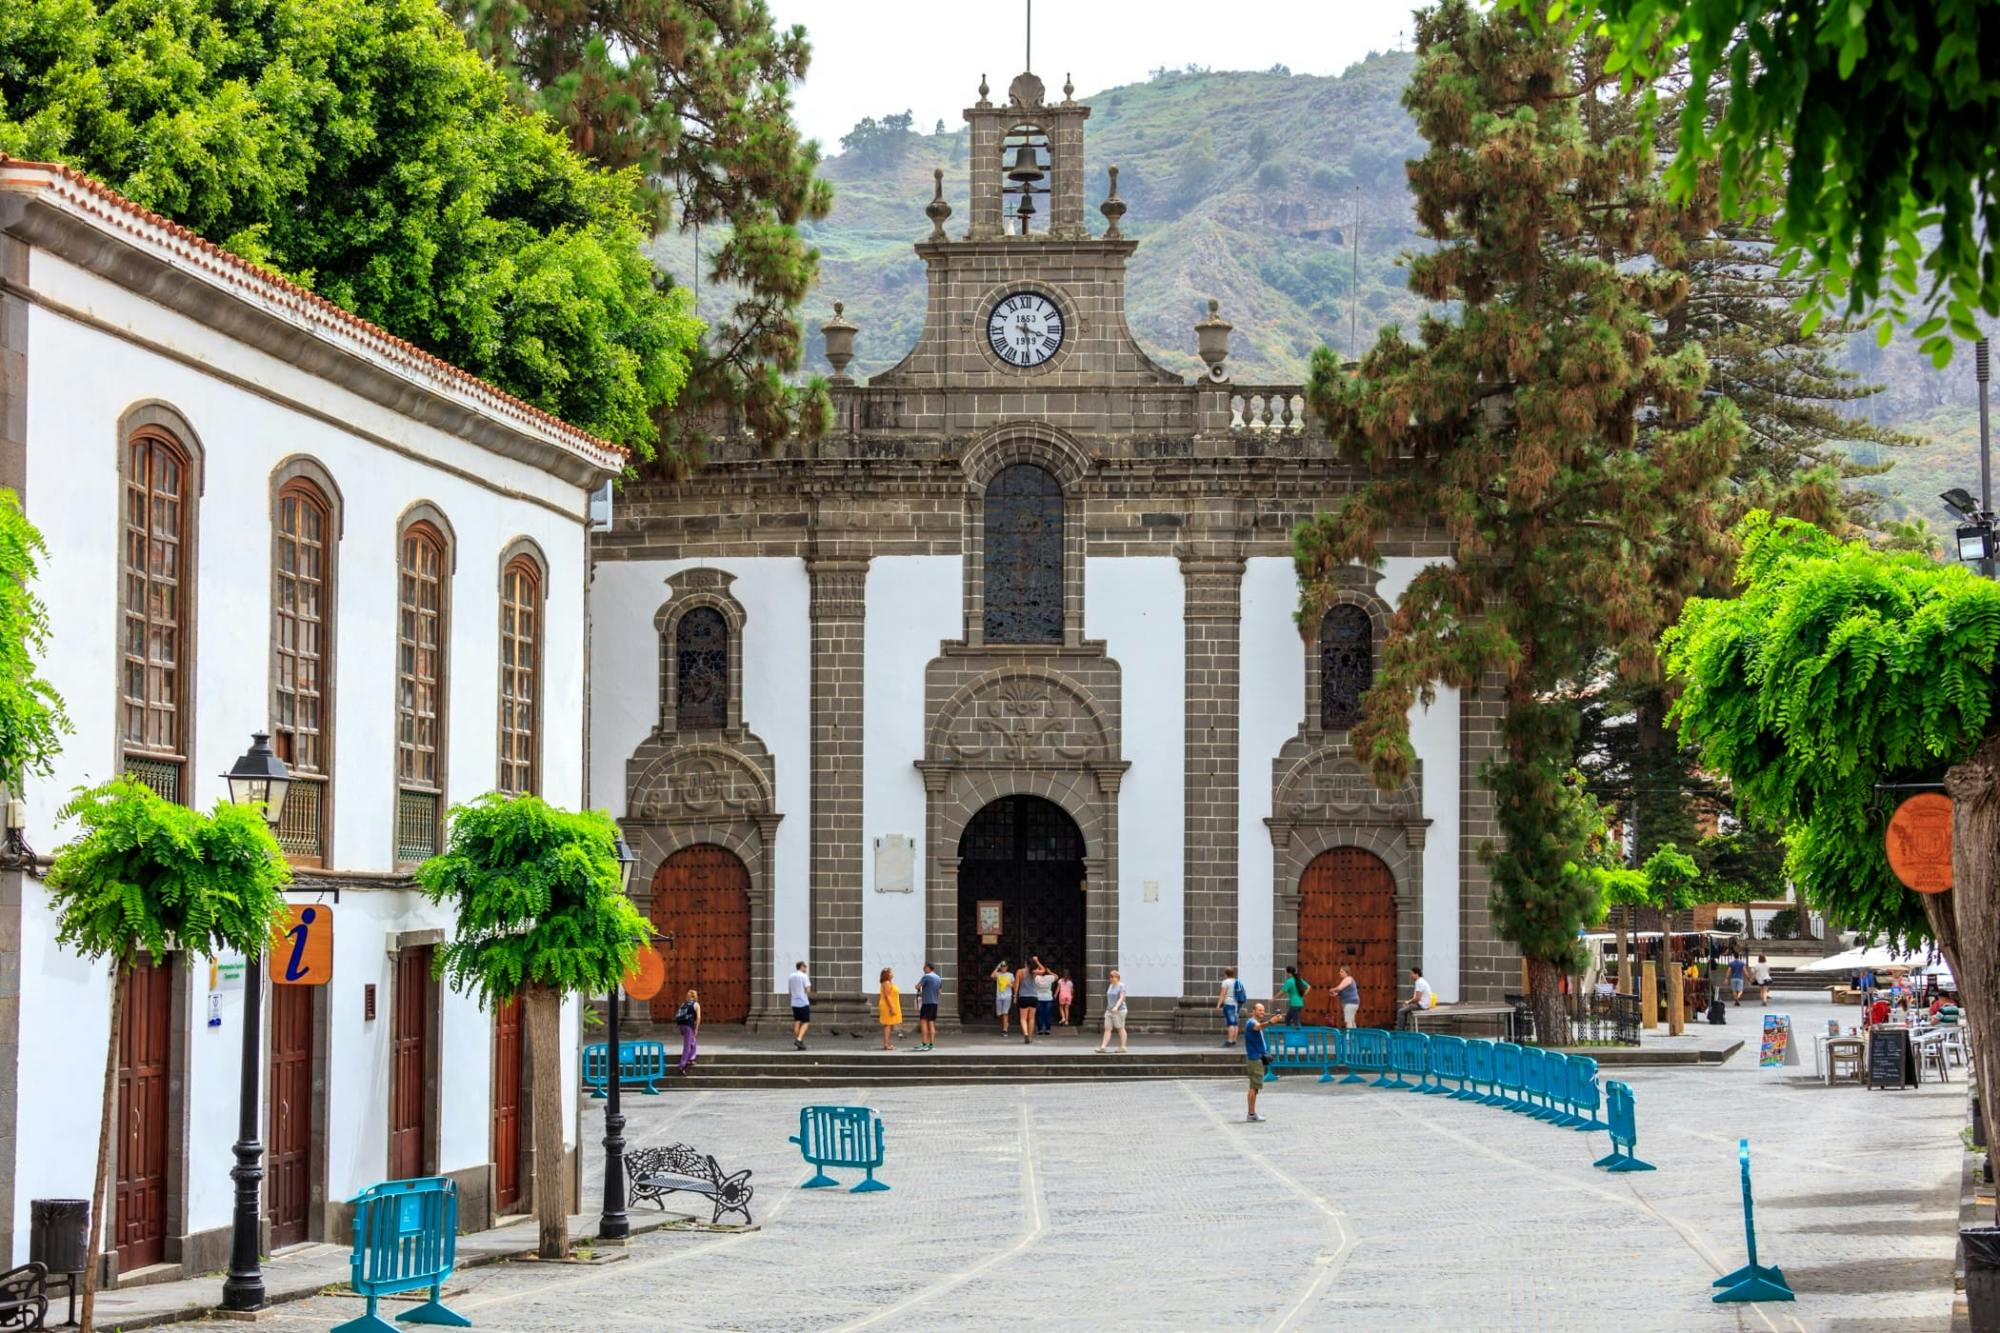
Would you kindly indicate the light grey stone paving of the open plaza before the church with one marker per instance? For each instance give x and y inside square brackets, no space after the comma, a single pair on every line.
[1153,1206]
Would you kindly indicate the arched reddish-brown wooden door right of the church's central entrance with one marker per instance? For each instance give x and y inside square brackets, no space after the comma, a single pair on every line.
[1347,918]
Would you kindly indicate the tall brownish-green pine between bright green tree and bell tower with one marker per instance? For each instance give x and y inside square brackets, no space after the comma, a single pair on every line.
[695,97]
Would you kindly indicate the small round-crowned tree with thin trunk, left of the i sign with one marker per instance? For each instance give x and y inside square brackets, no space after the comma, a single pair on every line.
[151,880]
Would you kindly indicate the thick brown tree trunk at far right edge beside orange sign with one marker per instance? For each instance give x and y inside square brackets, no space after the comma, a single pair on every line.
[1967,920]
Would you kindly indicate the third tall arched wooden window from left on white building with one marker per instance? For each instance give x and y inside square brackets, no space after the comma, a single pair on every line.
[421,720]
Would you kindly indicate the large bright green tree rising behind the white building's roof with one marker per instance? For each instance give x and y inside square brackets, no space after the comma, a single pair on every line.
[361,149]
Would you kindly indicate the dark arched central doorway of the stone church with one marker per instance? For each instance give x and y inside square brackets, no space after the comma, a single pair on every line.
[1025,860]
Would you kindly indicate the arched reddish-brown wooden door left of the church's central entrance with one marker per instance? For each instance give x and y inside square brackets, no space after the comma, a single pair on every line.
[703,900]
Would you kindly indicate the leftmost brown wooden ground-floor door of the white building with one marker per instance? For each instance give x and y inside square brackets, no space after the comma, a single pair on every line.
[145,1070]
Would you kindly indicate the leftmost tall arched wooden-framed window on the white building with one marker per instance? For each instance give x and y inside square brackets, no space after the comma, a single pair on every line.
[159,585]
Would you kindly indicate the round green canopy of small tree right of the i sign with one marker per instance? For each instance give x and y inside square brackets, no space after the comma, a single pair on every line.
[539,900]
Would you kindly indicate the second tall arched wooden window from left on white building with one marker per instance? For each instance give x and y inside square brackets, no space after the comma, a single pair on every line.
[301,661]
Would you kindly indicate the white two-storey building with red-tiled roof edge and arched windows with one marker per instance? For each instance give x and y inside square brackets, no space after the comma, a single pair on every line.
[269,515]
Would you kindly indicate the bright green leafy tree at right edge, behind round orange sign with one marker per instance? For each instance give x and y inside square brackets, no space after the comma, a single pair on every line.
[1841,670]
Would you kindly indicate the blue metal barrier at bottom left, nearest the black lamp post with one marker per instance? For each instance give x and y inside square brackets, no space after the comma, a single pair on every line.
[405,1240]
